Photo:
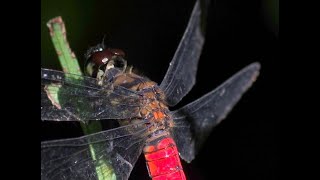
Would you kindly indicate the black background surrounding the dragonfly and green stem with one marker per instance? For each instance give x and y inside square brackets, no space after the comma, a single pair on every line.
[244,145]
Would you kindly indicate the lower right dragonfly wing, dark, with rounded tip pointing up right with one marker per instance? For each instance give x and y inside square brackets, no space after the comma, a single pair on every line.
[193,122]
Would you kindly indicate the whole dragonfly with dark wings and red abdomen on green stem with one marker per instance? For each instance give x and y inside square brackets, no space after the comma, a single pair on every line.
[111,91]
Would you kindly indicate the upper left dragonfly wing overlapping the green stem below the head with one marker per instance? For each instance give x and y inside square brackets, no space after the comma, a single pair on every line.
[68,97]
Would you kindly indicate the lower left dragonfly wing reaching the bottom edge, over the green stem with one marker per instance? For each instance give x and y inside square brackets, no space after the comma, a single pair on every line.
[115,153]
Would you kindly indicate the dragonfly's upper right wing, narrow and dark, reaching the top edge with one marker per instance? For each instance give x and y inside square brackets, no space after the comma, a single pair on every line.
[181,73]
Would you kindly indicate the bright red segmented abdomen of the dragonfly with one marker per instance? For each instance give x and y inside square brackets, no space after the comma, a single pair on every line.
[163,160]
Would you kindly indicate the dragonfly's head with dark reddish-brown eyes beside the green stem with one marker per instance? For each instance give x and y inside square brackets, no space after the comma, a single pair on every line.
[99,59]
